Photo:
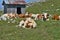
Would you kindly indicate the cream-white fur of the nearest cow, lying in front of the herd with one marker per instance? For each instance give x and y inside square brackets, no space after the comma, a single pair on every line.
[33,23]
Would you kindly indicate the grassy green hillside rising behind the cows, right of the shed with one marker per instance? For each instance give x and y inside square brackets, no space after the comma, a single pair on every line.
[51,6]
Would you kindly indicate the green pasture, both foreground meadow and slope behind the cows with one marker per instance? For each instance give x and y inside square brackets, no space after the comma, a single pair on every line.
[46,30]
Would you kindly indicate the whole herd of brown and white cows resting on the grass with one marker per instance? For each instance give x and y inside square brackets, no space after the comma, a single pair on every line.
[29,18]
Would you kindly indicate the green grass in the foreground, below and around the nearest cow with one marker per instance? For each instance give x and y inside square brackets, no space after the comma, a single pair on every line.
[45,31]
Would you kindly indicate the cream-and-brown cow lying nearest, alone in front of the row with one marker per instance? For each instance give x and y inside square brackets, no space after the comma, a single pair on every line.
[27,23]
